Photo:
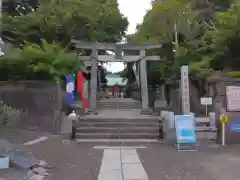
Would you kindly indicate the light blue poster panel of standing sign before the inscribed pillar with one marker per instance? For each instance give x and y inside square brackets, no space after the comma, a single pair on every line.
[185,129]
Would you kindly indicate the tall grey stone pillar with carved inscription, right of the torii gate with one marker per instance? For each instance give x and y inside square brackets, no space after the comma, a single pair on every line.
[185,90]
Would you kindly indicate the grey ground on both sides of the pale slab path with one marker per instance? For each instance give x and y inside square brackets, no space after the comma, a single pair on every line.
[161,162]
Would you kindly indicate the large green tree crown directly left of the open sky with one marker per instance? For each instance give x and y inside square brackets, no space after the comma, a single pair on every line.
[62,20]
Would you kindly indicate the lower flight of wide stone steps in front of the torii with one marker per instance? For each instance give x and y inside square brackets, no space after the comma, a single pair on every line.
[110,125]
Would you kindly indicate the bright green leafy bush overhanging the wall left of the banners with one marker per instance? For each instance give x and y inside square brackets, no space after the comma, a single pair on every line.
[35,62]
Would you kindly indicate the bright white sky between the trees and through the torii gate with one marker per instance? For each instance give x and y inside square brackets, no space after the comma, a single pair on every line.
[134,10]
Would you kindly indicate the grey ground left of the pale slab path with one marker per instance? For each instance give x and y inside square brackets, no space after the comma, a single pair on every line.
[69,161]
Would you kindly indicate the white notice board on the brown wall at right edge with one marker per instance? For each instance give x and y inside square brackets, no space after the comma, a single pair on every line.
[233,98]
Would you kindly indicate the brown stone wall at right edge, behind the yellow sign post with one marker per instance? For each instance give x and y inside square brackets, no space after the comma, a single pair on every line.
[218,84]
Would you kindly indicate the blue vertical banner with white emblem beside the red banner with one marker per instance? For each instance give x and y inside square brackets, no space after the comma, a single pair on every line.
[70,87]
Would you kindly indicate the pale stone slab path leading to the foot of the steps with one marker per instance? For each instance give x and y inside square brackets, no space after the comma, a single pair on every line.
[121,164]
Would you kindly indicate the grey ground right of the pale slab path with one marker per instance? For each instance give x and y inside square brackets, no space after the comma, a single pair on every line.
[209,163]
